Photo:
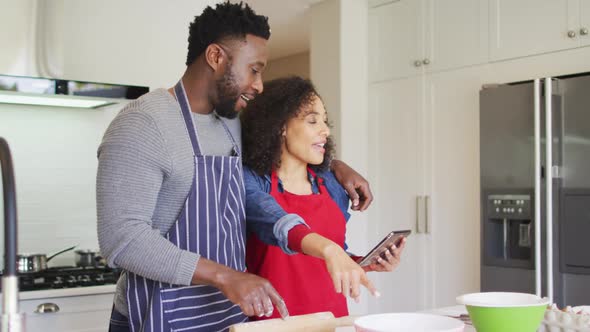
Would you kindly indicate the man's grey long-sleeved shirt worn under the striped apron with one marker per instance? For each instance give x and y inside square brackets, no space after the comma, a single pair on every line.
[144,175]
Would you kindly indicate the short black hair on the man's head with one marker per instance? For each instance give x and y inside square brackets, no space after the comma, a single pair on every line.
[225,20]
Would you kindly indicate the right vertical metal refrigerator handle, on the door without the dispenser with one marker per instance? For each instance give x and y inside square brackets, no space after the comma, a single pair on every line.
[549,184]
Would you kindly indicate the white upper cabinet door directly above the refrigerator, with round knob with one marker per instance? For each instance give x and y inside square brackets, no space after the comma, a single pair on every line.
[527,27]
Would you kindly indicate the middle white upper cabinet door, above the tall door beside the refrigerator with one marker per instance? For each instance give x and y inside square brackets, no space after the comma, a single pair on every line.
[456,33]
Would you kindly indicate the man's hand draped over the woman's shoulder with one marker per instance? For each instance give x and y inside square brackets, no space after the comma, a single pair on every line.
[355,185]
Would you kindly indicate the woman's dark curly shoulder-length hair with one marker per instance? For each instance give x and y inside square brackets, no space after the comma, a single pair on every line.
[266,116]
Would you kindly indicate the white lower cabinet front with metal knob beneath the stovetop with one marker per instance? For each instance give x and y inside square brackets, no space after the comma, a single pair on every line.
[86,313]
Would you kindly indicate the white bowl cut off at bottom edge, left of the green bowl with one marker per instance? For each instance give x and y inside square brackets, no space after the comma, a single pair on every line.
[407,322]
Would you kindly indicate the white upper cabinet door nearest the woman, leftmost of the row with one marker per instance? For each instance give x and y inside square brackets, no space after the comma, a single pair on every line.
[395,40]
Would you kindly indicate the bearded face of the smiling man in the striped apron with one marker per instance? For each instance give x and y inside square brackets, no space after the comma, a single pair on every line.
[242,79]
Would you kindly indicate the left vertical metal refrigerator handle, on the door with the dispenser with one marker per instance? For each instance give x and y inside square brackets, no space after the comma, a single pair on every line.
[537,203]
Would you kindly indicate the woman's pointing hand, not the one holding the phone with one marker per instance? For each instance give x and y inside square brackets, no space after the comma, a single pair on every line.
[346,274]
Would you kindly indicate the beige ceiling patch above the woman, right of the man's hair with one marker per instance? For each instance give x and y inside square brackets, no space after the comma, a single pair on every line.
[289,22]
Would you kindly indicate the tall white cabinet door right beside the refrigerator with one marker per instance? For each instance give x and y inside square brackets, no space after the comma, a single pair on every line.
[453,181]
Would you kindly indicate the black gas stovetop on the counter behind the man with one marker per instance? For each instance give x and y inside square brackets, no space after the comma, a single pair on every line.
[67,277]
